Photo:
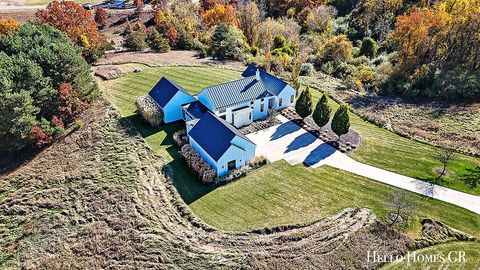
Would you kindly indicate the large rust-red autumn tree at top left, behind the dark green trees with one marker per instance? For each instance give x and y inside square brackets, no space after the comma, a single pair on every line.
[78,23]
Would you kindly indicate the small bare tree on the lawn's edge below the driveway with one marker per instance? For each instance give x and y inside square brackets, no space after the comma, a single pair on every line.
[400,206]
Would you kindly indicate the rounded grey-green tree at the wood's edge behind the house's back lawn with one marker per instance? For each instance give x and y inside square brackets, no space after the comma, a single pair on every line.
[227,42]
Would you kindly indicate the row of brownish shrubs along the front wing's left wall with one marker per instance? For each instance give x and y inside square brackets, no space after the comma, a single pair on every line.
[203,170]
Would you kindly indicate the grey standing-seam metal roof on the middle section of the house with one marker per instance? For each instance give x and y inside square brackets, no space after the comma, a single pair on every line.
[236,92]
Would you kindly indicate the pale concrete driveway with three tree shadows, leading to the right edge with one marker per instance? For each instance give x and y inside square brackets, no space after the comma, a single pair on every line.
[290,142]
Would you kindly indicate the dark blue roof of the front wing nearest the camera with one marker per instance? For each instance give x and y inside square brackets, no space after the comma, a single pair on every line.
[214,135]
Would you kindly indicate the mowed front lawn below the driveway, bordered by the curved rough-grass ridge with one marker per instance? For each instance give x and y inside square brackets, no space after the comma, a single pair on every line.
[281,194]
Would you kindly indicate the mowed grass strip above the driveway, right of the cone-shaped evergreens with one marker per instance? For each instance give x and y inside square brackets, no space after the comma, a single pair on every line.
[387,150]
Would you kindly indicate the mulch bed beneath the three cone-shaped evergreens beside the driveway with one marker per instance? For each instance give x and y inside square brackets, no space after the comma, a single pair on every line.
[348,142]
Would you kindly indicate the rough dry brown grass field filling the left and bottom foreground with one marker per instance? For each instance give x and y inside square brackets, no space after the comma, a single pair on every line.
[98,199]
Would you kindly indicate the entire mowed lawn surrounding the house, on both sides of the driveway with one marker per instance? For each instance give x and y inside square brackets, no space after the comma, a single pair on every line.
[283,194]
